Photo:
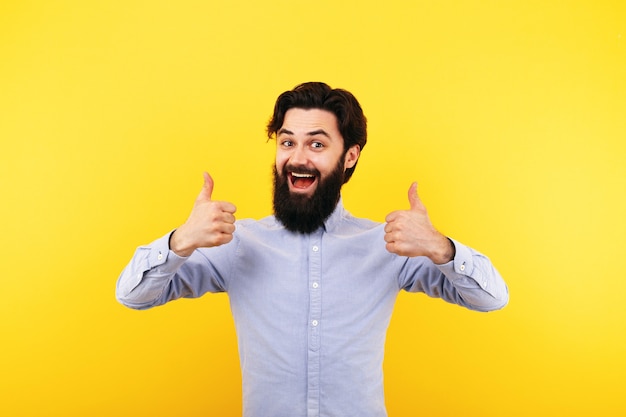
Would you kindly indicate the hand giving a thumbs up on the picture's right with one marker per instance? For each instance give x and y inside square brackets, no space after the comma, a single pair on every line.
[410,233]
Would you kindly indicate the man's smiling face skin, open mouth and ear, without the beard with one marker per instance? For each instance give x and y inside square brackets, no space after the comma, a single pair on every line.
[308,148]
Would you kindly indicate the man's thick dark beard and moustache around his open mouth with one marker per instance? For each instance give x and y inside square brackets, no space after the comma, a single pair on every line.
[304,214]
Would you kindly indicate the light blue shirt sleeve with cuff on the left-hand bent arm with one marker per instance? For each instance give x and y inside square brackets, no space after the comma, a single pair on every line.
[156,275]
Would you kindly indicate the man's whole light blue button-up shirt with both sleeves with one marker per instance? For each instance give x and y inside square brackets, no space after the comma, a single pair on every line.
[311,311]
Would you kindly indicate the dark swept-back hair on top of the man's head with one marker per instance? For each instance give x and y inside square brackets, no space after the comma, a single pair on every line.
[351,121]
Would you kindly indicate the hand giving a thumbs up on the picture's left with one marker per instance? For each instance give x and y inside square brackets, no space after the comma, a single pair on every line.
[211,223]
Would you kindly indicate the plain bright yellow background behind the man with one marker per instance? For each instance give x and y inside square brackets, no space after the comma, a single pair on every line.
[511,115]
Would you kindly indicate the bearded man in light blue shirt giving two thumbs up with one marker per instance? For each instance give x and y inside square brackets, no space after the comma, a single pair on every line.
[311,288]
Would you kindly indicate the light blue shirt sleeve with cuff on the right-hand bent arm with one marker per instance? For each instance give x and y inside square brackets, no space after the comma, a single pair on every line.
[469,280]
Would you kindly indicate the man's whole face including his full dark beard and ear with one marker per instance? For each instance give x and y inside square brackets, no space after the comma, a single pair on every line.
[310,163]
